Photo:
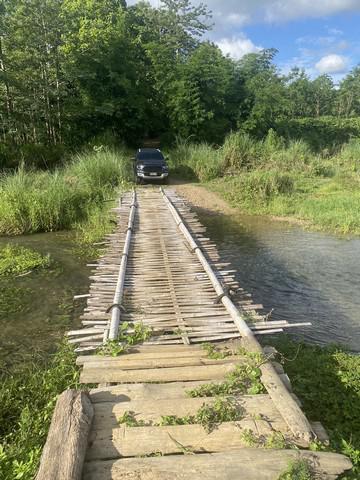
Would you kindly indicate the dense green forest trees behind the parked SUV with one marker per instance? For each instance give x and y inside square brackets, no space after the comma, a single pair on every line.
[75,70]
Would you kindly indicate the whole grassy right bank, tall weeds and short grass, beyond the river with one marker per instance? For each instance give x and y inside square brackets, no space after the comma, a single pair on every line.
[274,177]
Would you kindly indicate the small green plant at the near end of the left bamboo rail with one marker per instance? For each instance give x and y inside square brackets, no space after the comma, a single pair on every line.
[129,334]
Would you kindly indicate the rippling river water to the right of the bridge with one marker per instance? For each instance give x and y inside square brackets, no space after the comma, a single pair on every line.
[302,275]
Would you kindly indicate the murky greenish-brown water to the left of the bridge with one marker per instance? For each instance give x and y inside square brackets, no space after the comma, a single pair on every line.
[35,309]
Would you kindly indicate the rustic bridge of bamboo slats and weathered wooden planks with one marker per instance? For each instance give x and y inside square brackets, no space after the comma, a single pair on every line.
[169,408]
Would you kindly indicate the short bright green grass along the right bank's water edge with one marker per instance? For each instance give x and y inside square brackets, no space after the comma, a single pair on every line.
[328,204]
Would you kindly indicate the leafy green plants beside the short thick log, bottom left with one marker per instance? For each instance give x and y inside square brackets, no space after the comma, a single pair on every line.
[27,397]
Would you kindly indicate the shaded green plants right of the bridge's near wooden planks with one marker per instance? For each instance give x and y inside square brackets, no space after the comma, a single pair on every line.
[326,379]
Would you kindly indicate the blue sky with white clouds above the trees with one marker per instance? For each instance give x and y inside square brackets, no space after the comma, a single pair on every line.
[321,36]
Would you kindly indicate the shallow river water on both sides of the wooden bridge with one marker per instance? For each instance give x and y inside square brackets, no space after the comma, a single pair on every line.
[303,276]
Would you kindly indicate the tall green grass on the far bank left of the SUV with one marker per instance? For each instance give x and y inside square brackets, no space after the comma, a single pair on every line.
[33,201]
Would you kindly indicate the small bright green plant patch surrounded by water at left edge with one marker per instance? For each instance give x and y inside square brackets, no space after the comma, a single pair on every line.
[17,260]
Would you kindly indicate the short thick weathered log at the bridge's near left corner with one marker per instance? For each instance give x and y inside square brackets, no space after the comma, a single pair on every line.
[66,444]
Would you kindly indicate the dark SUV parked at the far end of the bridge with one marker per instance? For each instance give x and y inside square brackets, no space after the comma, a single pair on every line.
[150,164]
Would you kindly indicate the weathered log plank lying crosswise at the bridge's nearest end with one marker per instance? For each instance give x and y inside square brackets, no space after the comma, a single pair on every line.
[248,463]
